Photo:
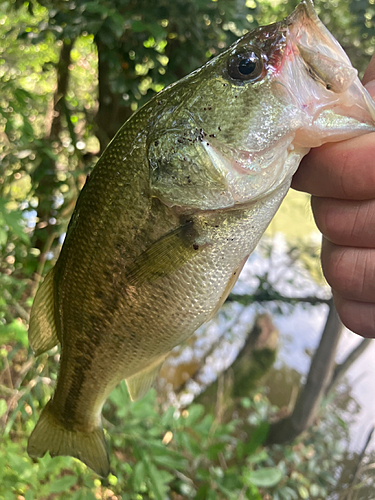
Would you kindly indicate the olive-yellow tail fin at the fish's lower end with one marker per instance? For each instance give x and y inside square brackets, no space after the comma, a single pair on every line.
[50,435]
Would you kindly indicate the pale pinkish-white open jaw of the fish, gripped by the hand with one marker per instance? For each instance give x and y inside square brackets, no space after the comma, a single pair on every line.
[317,77]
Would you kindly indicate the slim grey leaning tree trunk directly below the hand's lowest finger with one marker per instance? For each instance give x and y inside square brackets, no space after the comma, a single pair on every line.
[320,375]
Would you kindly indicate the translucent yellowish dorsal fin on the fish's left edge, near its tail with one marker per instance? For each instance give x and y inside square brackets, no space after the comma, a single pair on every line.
[42,327]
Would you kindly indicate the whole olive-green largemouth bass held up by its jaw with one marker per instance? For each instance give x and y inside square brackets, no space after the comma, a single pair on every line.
[173,209]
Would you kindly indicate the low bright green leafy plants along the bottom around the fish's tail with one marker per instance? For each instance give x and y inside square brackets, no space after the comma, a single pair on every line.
[175,454]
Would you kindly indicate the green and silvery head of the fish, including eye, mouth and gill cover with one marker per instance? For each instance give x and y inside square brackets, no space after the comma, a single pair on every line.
[235,130]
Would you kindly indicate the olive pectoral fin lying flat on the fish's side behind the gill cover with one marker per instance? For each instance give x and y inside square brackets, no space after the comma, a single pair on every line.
[166,256]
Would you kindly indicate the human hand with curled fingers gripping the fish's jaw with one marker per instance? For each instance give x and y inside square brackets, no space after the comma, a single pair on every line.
[341,178]
